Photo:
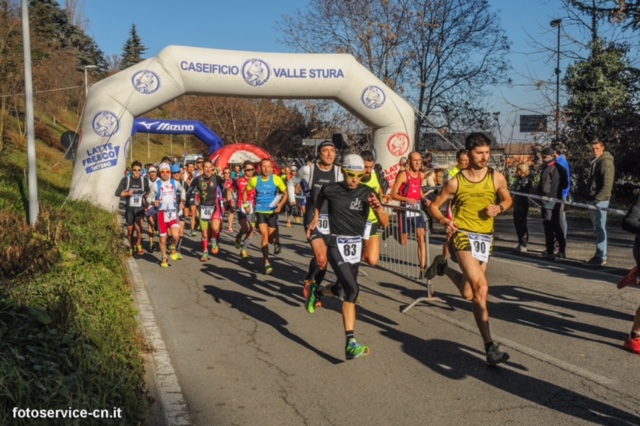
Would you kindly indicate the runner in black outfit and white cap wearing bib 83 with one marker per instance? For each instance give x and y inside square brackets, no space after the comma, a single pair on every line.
[349,204]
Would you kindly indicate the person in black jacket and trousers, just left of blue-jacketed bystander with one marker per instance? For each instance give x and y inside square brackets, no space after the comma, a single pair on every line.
[550,186]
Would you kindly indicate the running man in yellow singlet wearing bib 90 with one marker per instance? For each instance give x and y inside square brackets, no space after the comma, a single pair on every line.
[476,190]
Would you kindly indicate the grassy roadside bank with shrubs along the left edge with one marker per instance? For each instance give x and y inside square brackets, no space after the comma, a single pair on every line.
[68,333]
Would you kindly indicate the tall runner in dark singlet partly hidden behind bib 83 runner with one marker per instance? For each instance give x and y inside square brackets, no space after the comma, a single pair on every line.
[314,176]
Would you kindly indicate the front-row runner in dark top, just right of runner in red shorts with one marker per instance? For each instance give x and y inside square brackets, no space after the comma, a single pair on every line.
[208,193]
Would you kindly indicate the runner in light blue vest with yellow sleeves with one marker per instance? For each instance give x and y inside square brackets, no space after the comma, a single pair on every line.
[271,196]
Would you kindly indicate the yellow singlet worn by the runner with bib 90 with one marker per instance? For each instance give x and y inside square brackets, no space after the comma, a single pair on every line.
[470,202]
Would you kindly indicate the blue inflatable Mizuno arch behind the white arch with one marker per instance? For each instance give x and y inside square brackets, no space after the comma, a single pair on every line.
[179,127]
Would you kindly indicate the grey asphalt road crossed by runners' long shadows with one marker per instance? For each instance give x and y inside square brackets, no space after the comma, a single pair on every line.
[236,347]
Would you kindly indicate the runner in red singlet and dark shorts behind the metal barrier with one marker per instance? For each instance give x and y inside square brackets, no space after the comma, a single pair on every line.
[408,190]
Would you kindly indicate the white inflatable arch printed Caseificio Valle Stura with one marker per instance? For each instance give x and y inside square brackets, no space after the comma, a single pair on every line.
[113,103]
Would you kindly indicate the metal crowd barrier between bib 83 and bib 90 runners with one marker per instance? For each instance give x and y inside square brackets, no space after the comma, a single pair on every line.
[402,259]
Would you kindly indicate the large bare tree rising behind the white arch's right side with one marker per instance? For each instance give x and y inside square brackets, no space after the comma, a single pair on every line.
[441,54]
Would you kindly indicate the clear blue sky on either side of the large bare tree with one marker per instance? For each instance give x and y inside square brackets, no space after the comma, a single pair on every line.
[249,25]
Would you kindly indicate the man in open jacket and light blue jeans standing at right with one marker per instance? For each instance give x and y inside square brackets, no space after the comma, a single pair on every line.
[599,187]
